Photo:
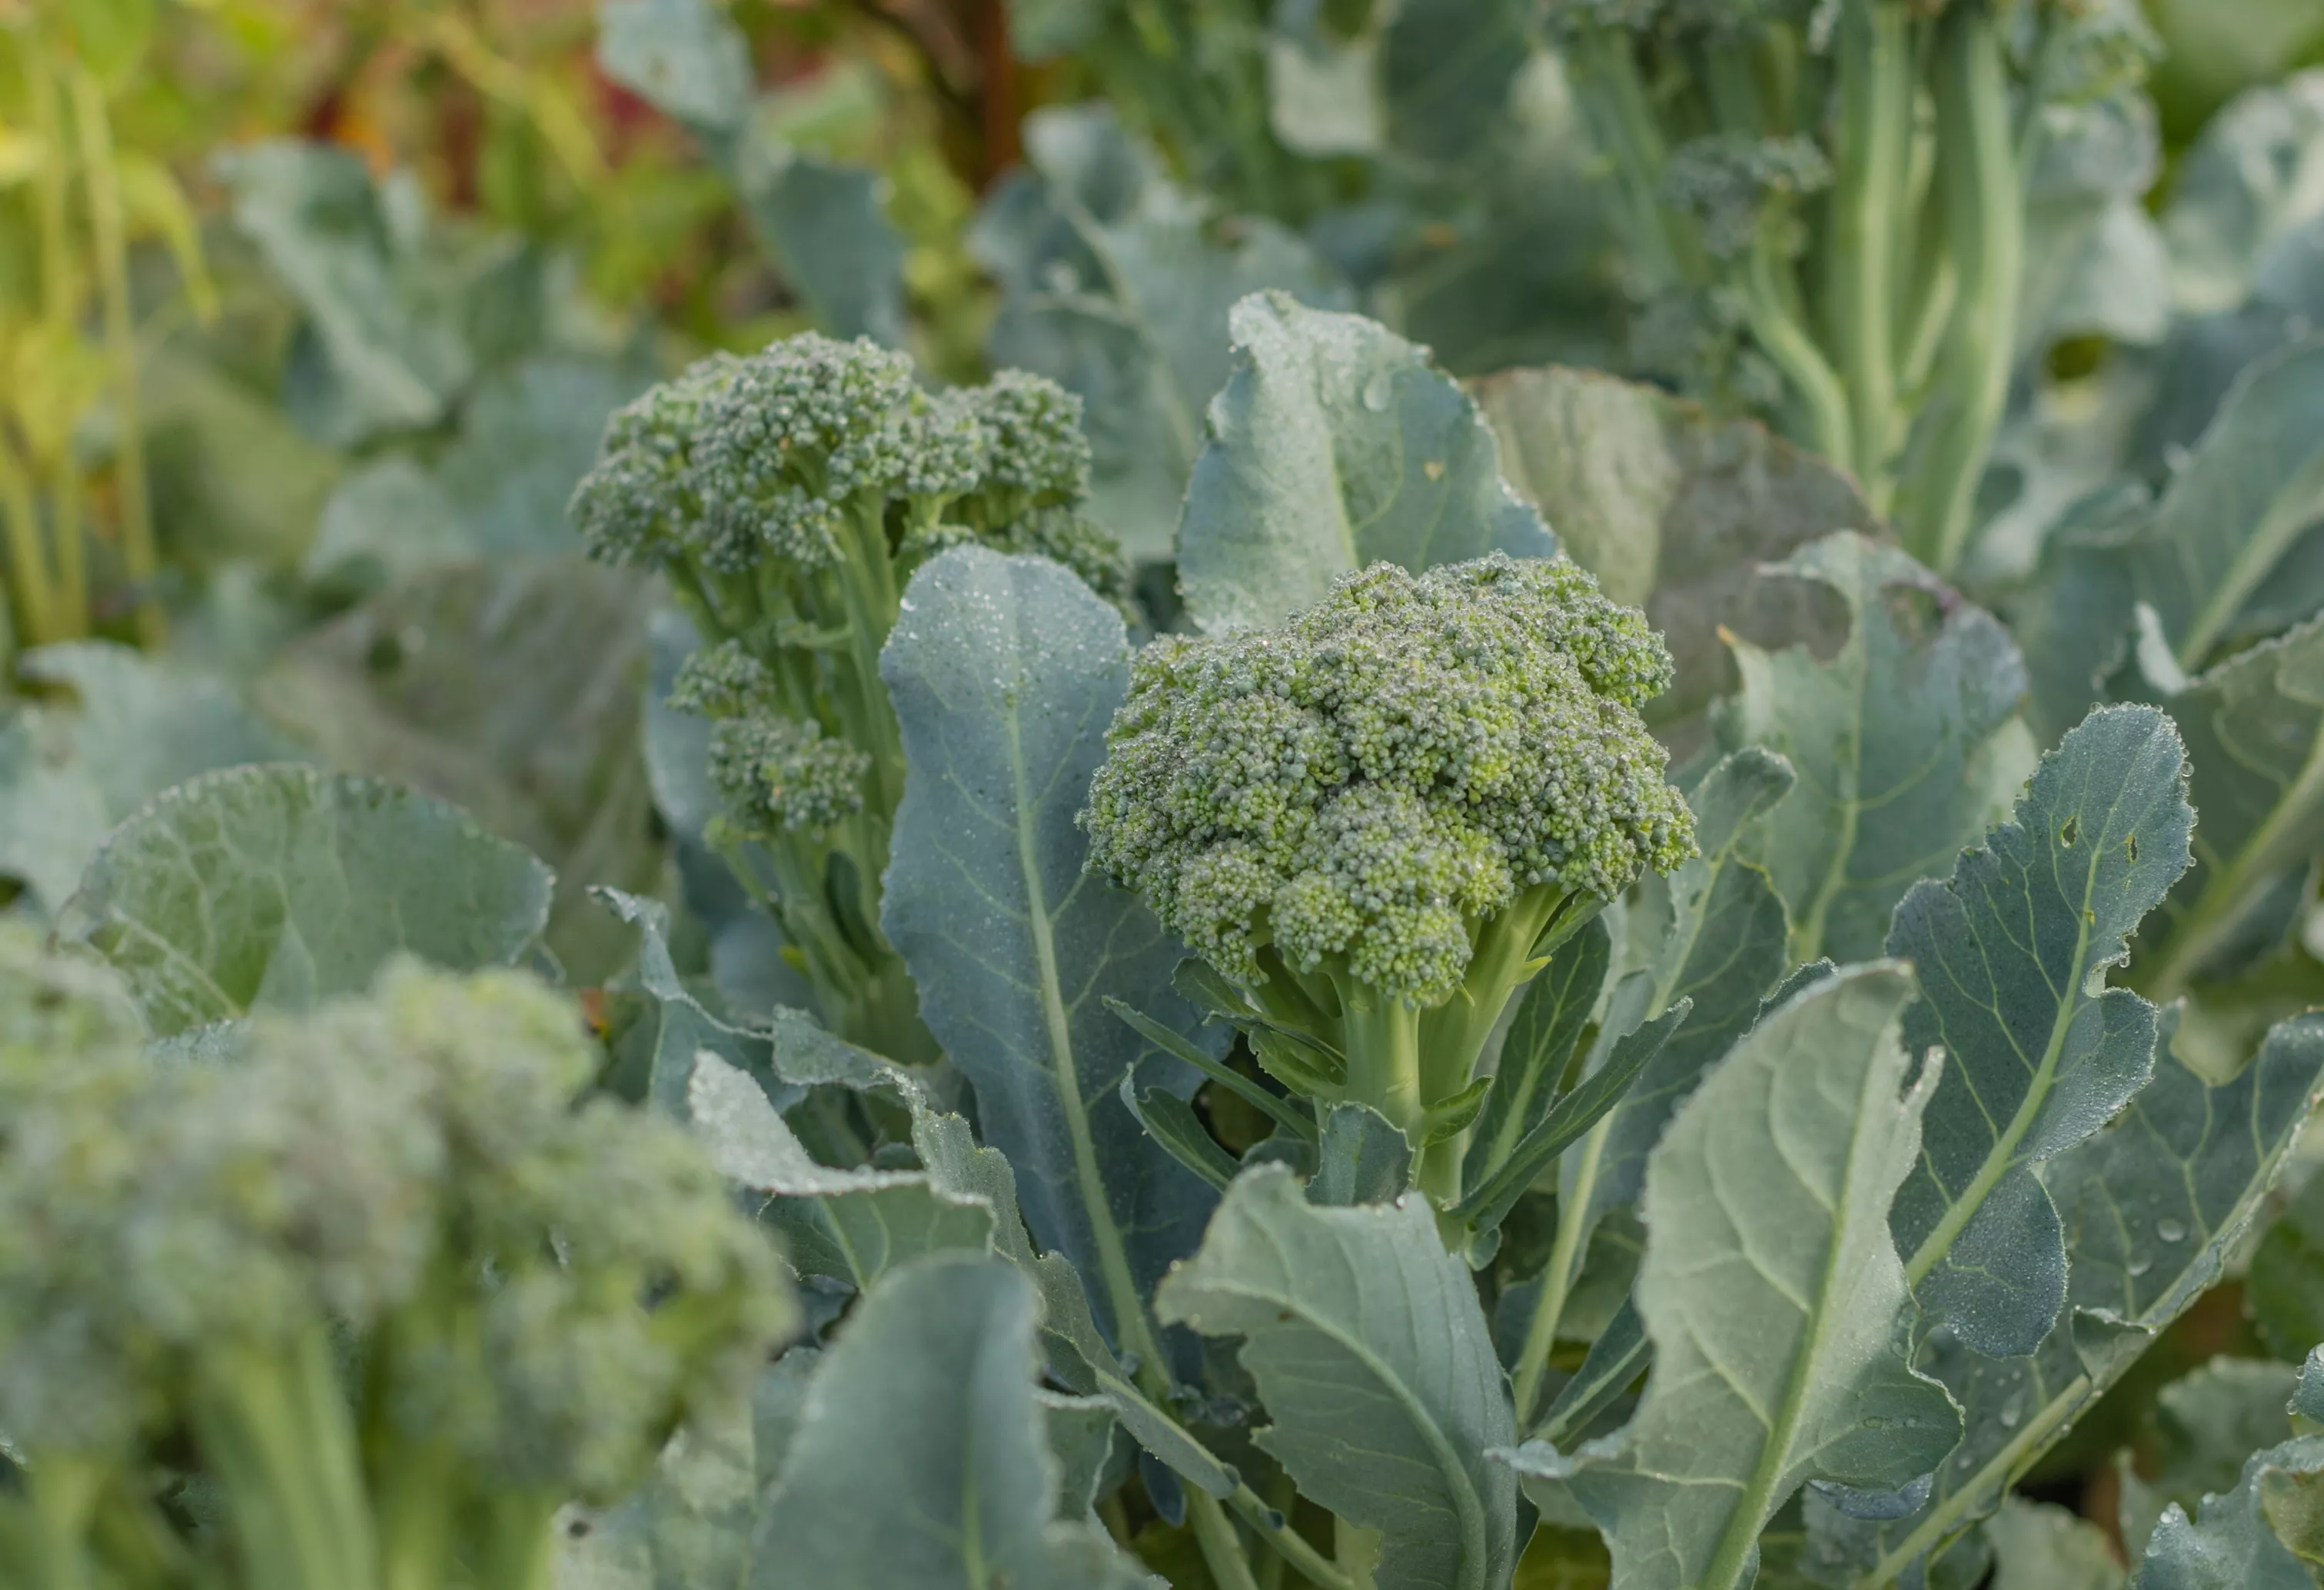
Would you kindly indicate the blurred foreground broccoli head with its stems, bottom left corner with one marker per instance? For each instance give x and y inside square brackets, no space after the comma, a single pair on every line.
[378,1287]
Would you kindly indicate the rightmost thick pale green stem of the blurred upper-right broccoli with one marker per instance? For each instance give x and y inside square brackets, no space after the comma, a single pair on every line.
[1984,196]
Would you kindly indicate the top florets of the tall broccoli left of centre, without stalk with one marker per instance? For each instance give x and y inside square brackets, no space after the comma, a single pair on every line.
[768,457]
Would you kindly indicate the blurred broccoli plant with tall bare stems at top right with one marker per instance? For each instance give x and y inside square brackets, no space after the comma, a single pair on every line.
[1865,157]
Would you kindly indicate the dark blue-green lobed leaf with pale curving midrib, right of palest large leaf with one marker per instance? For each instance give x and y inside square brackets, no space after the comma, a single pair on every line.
[2014,954]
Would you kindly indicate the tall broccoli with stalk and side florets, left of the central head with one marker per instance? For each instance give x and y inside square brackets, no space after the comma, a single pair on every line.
[789,496]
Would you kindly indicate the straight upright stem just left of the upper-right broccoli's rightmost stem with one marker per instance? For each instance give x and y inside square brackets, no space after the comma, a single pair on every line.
[1874,148]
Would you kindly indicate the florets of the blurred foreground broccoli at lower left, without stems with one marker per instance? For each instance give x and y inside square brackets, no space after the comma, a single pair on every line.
[561,1284]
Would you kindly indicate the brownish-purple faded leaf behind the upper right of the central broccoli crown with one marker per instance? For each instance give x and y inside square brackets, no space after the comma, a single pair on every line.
[1674,513]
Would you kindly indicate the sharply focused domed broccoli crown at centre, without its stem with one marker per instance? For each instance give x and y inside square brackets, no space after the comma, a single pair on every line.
[1389,771]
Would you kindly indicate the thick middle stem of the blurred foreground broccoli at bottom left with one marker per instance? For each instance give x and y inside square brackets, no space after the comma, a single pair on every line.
[275,1431]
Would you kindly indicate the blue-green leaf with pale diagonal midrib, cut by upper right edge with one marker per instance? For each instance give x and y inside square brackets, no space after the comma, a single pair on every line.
[2223,531]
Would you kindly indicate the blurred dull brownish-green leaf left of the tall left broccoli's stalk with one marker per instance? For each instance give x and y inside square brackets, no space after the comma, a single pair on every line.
[547,757]
